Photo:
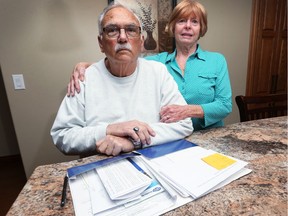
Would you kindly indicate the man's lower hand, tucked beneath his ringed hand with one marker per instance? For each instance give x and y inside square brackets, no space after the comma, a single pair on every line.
[113,145]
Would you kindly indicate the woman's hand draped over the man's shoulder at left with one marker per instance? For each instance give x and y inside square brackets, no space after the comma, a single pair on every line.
[77,74]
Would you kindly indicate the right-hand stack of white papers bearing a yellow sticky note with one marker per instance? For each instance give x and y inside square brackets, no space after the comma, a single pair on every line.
[195,171]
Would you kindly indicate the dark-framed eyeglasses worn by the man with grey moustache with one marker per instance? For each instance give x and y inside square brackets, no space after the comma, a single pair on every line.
[113,31]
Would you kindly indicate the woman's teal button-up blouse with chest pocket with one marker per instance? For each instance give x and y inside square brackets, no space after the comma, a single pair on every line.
[205,82]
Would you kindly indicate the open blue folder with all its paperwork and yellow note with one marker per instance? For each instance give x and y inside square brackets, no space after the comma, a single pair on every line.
[170,175]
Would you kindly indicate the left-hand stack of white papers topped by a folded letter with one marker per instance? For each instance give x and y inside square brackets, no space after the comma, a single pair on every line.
[120,187]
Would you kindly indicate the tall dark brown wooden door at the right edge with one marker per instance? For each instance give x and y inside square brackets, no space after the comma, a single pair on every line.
[267,65]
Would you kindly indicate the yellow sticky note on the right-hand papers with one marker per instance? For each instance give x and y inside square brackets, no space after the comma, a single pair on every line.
[218,161]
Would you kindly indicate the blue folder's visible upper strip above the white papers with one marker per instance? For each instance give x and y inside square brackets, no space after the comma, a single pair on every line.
[149,152]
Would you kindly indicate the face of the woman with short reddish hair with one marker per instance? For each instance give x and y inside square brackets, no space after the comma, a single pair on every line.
[187,31]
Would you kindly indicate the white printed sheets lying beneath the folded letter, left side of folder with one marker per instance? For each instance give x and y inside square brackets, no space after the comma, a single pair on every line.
[91,198]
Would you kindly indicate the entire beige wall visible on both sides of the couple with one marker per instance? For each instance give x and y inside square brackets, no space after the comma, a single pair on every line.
[44,39]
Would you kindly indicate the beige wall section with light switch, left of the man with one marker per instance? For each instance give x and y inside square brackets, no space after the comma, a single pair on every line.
[43,40]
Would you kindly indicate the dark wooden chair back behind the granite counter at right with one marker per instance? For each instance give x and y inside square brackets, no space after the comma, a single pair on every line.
[260,107]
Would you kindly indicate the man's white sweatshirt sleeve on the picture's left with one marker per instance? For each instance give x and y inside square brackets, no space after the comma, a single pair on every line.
[70,132]
